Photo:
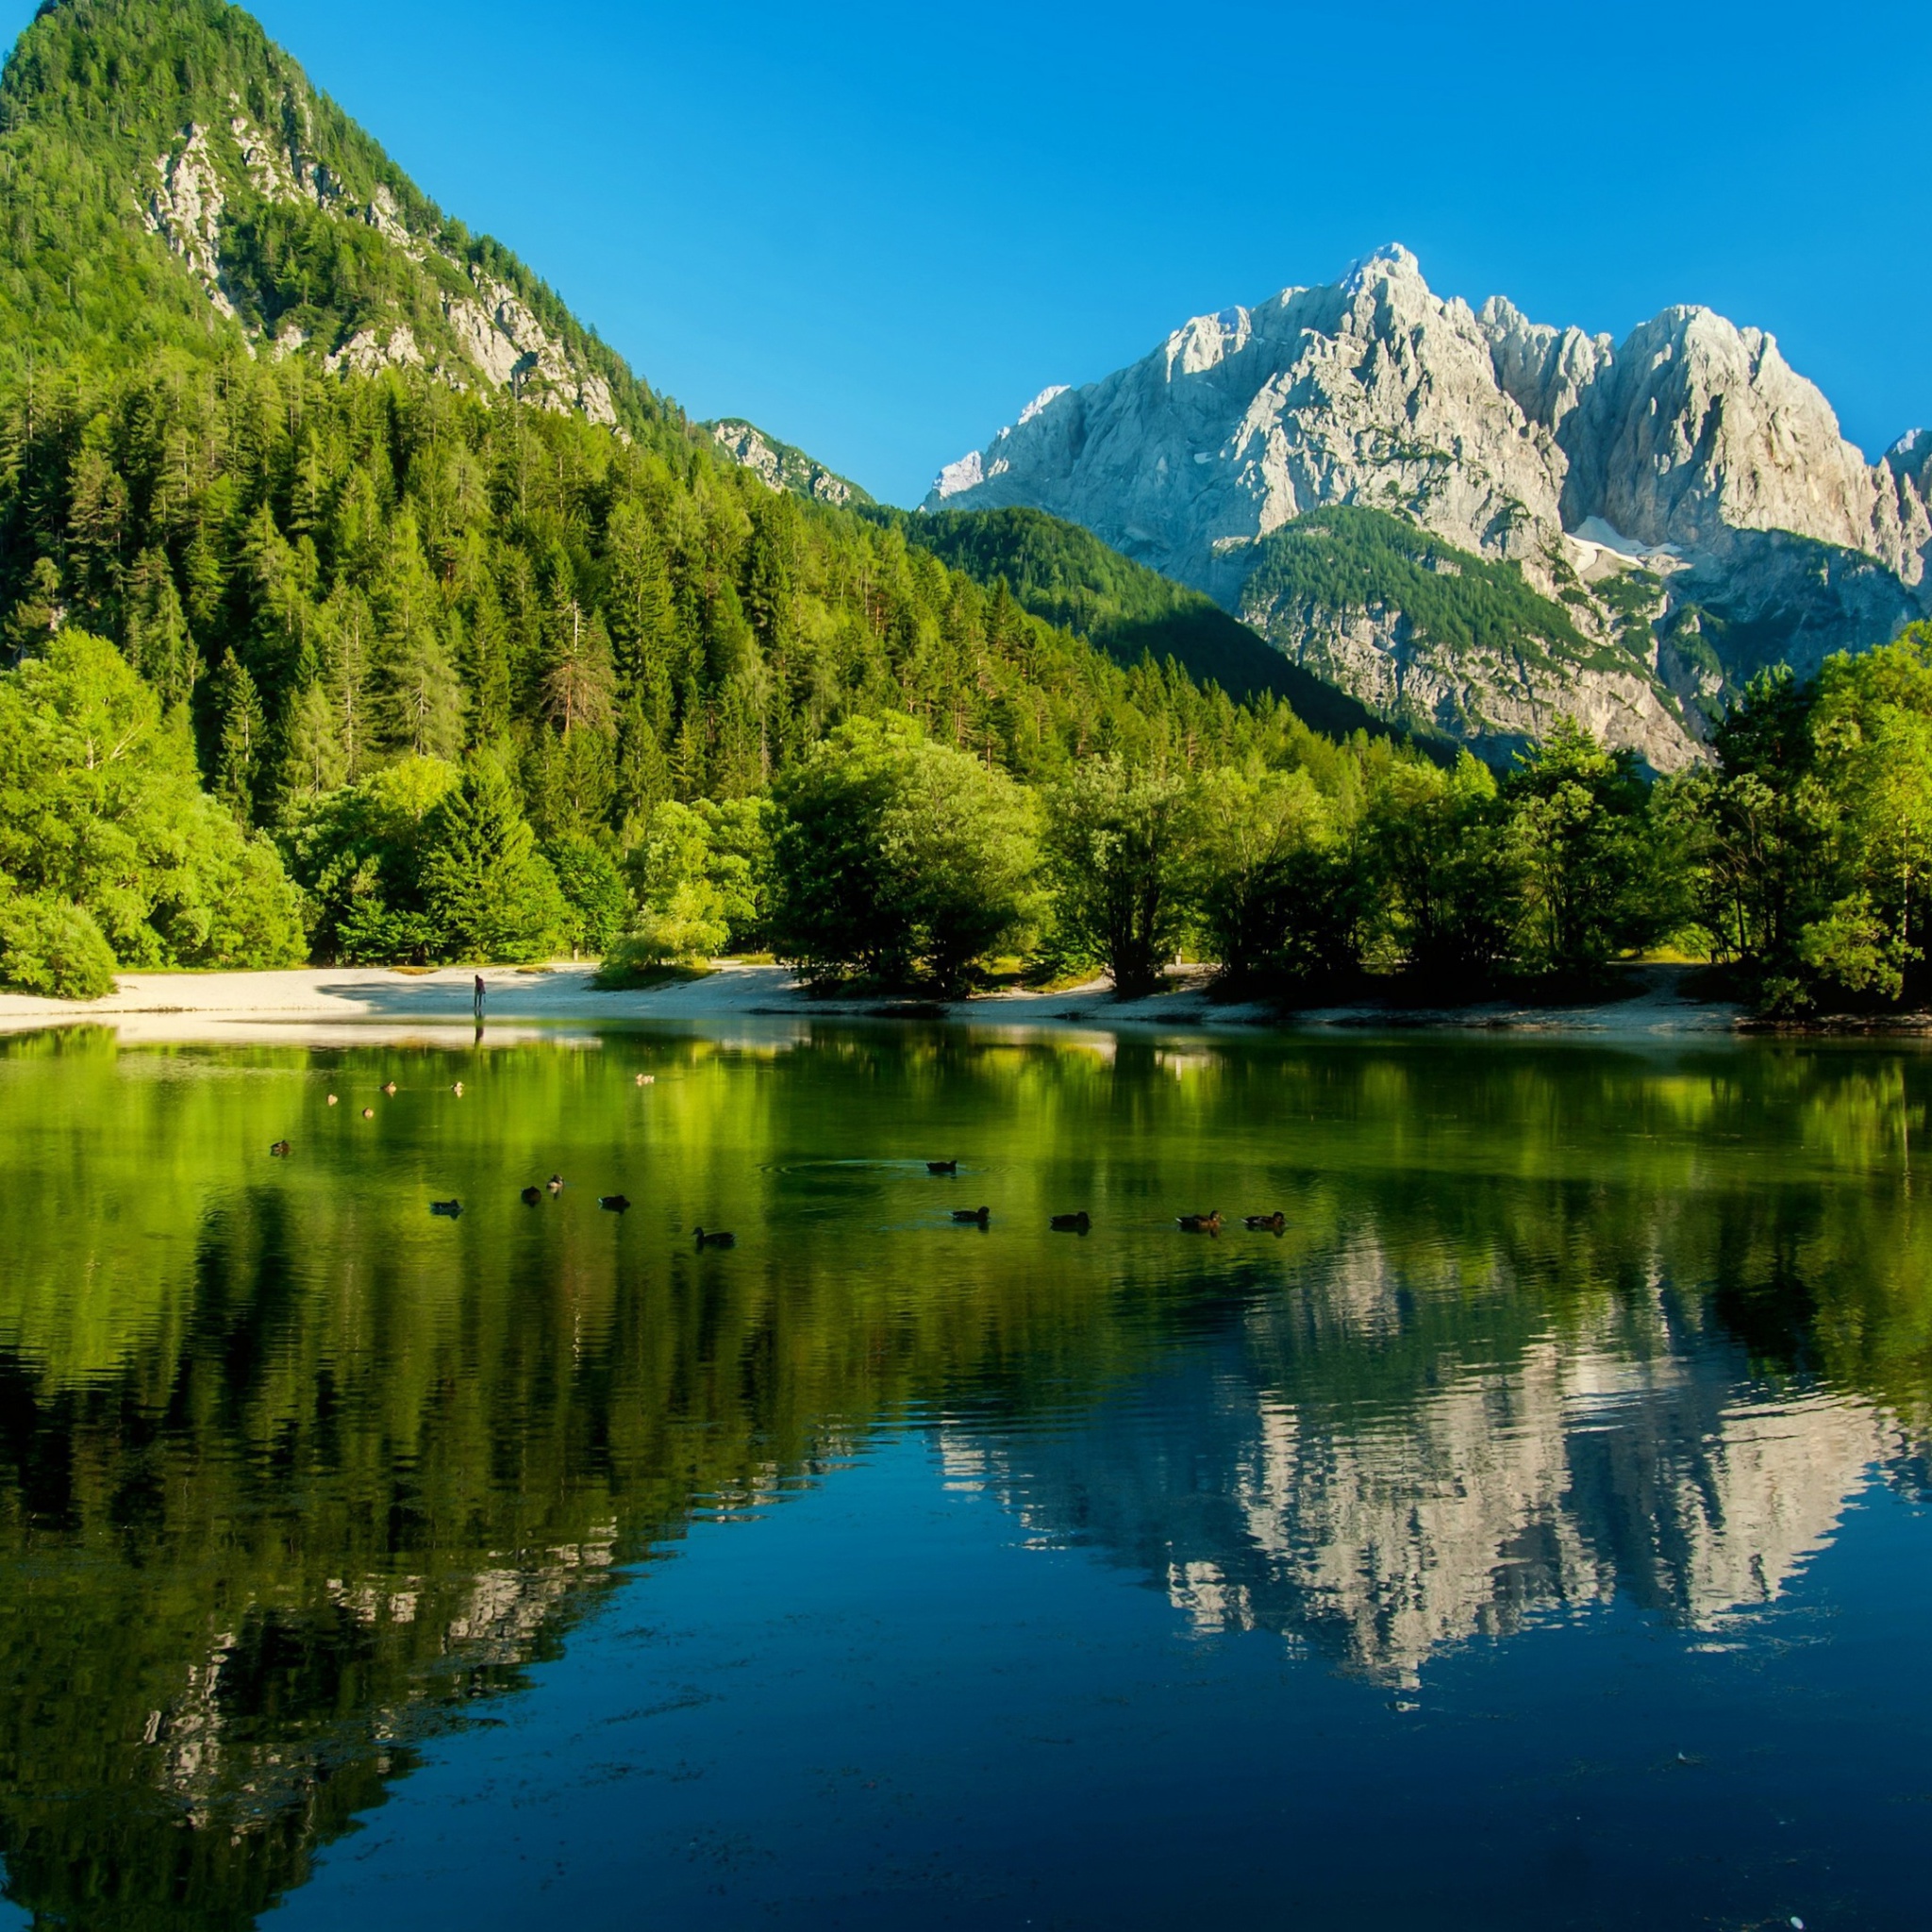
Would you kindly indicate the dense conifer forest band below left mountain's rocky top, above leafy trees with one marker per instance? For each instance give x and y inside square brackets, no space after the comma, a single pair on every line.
[401,571]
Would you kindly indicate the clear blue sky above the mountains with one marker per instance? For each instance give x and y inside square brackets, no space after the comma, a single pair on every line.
[880,229]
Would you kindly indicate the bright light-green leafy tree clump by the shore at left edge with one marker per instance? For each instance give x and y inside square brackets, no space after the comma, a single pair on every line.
[101,810]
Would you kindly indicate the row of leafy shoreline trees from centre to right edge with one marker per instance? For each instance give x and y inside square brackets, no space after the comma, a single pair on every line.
[1794,863]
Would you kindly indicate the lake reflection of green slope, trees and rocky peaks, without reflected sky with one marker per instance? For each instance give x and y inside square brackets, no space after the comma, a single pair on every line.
[295,1475]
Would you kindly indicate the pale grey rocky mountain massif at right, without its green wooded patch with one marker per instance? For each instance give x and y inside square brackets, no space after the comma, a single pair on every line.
[1690,472]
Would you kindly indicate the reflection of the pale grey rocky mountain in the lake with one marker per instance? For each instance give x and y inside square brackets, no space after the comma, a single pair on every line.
[1498,1494]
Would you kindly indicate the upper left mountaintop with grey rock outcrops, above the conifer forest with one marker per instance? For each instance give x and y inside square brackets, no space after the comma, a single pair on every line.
[169,179]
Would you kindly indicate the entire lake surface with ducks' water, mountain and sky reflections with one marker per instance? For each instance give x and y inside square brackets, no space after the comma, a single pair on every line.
[1531,1533]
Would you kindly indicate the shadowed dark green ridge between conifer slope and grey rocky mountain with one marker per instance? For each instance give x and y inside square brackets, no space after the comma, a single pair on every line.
[1067,577]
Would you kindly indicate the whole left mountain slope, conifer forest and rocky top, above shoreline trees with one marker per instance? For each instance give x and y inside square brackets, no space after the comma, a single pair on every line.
[378,544]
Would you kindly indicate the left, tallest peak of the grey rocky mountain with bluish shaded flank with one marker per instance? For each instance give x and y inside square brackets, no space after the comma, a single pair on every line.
[1371,391]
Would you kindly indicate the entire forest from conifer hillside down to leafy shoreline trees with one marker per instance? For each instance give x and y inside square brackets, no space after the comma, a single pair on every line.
[370,671]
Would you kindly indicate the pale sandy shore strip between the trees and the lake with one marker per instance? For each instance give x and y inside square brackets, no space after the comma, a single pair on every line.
[318,1004]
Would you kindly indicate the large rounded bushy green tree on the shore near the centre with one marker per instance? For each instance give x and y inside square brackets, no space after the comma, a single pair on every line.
[899,859]
